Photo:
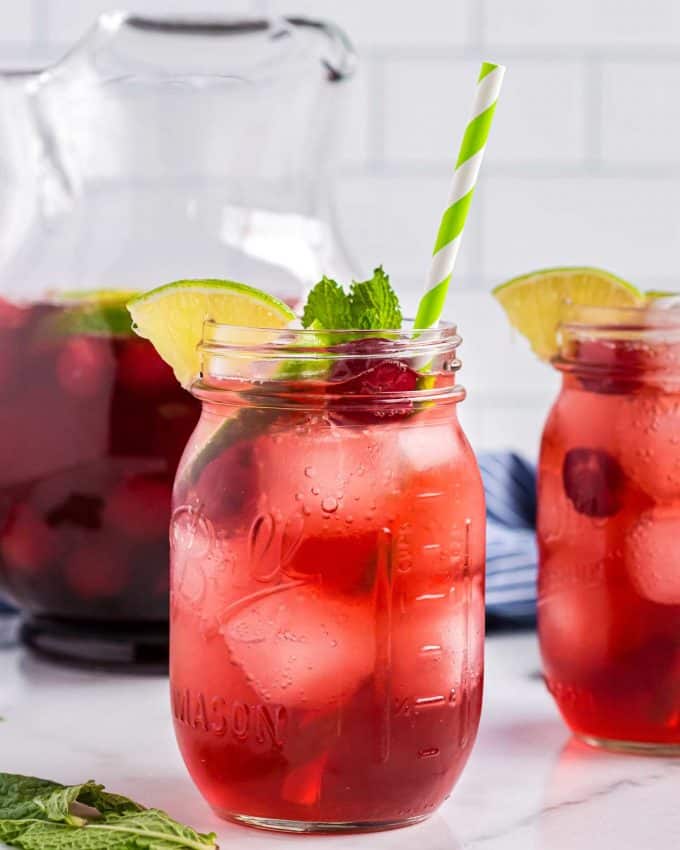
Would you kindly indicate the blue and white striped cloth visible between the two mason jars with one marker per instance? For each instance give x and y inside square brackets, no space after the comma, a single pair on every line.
[511,555]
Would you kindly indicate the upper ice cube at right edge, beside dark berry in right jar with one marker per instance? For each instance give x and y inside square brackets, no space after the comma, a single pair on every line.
[648,433]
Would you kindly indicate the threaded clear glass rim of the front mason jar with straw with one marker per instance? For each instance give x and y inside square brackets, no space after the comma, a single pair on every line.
[298,362]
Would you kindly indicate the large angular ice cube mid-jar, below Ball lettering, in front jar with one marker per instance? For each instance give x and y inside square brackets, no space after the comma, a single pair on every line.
[300,647]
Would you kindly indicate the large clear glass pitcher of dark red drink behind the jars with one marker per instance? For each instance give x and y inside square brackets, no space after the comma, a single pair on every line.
[155,150]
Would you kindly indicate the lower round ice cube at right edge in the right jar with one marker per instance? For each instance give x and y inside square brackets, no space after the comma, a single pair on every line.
[652,555]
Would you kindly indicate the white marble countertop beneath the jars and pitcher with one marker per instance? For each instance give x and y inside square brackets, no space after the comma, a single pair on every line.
[527,786]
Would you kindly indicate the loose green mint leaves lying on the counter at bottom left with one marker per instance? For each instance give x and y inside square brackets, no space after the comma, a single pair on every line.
[36,814]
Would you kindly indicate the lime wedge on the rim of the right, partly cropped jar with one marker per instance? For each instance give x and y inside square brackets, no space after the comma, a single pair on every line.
[535,302]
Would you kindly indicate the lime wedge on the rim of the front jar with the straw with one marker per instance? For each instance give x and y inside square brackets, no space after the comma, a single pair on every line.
[172,317]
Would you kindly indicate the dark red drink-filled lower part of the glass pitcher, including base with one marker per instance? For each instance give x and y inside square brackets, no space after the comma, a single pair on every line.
[93,425]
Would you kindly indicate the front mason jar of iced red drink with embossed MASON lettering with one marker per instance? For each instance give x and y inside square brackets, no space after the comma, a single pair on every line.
[328,571]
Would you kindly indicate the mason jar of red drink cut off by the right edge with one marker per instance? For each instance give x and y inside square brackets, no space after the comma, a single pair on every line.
[608,530]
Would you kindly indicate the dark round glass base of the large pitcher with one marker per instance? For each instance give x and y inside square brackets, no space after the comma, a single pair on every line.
[128,647]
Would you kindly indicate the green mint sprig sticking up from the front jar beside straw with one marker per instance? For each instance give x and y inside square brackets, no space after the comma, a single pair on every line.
[369,305]
